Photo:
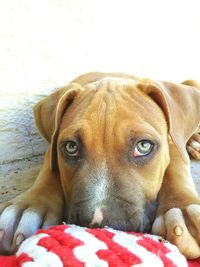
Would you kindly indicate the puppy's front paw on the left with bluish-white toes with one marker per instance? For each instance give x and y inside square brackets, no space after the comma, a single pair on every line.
[22,216]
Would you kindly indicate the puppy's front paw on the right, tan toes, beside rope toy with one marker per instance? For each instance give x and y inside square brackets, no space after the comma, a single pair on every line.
[182,228]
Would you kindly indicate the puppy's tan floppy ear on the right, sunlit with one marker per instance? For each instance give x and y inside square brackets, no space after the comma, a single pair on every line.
[181,106]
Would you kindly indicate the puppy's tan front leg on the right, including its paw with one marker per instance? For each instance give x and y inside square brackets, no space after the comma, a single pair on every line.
[178,218]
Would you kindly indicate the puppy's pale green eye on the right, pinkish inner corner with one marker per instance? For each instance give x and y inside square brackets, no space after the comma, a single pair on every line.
[143,148]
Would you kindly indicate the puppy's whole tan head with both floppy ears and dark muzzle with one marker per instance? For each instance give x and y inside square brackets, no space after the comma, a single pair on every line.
[109,137]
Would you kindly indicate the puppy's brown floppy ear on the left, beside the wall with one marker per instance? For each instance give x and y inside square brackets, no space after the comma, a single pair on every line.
[48,114]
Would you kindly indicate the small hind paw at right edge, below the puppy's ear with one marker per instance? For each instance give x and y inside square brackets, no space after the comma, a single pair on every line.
[193,146]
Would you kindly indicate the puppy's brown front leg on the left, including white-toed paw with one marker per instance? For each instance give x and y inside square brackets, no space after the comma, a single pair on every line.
[39,207]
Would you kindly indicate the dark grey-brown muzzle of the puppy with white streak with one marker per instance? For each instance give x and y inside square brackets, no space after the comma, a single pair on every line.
[105,199]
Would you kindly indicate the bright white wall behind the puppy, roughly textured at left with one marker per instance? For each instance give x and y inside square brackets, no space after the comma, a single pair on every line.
[46,43]
